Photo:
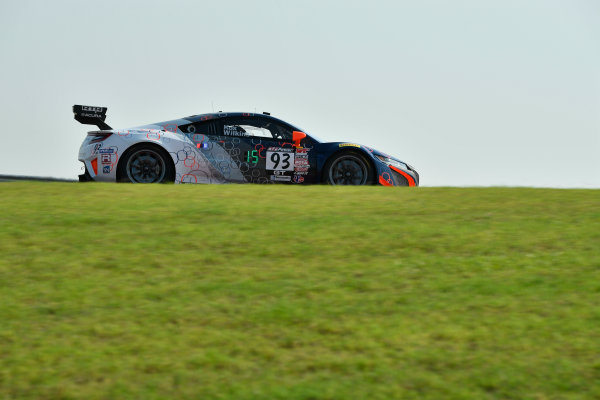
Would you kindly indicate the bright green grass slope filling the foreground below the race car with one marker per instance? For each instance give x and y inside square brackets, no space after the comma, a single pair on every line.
[276,292]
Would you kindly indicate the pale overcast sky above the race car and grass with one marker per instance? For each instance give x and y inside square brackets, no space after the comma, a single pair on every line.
[470,92]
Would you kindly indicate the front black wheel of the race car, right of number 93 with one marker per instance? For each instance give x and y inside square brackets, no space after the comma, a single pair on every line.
[348,168]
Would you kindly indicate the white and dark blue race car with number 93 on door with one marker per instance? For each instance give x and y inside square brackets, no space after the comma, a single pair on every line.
[229,148]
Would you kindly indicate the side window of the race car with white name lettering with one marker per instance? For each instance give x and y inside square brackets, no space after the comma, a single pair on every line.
[256,127]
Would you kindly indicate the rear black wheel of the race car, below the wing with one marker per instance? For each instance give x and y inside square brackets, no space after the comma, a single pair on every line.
[146,163]
